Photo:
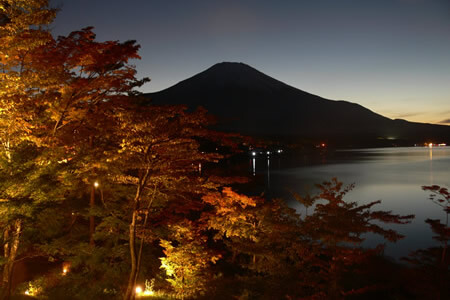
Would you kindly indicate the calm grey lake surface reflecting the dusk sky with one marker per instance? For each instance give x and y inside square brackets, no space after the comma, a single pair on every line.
[393,175]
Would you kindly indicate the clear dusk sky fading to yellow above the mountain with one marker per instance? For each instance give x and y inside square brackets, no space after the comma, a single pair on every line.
[391,56]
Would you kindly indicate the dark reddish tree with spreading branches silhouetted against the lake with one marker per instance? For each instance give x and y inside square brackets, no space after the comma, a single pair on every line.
[338,227]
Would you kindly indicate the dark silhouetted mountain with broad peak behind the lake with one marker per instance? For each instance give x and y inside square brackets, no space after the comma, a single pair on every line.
[250,102]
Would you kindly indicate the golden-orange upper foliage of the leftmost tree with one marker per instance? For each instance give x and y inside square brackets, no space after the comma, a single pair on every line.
[20,84]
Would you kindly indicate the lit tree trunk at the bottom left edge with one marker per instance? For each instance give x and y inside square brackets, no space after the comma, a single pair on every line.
[12,240]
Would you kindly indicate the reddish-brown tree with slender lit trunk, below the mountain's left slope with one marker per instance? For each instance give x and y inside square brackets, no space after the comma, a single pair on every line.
[159,153]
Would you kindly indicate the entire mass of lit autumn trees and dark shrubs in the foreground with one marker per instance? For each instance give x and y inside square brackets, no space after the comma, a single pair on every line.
[103,197]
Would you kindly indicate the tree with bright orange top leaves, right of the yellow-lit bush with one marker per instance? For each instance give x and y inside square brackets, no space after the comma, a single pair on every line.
[264,241]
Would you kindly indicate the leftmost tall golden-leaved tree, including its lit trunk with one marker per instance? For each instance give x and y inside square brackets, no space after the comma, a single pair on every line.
[22,31]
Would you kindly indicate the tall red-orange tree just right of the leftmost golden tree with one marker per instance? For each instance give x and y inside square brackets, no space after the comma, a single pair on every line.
[93,112]
